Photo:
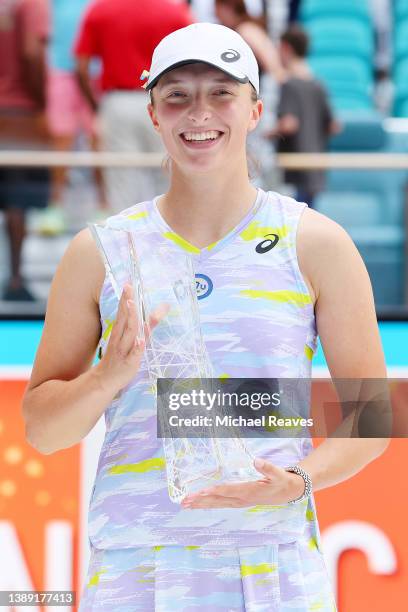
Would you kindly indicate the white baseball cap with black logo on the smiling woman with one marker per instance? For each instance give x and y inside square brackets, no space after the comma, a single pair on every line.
[210,43]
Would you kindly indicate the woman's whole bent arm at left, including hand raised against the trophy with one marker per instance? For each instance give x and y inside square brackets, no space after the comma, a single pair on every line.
[66,396]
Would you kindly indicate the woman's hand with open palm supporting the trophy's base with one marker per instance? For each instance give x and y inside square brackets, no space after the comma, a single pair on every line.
[276,487]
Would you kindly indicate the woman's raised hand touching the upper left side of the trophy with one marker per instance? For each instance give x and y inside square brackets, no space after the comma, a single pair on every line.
[121,360]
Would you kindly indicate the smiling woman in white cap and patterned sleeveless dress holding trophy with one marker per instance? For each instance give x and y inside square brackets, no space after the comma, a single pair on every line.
[241,547]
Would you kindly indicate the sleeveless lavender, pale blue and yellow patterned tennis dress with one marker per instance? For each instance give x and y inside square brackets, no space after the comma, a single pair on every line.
[257,319]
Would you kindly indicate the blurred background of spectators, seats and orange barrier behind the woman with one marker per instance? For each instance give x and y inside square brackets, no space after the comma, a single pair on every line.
[76,147]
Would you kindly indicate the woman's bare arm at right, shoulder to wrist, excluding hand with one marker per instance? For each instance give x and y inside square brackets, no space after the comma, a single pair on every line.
[348,330]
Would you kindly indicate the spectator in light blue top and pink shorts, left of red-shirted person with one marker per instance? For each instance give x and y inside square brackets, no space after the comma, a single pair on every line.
[68,112]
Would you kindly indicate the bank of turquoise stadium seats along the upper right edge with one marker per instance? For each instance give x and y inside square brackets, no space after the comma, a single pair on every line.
[368,204]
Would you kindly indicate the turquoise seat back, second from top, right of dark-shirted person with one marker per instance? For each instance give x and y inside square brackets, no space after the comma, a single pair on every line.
[341,36]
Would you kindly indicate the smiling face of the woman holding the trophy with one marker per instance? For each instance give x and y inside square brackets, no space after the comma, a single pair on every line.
[203,117]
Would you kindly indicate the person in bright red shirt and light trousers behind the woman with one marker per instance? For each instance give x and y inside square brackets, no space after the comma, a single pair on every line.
[123,35]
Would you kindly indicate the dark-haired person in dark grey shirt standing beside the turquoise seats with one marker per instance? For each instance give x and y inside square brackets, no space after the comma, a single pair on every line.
[305,119]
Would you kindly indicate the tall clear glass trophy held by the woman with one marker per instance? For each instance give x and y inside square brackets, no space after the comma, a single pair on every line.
[175,351]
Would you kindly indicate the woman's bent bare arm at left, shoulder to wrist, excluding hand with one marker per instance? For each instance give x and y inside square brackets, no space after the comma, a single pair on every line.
[63,399]
